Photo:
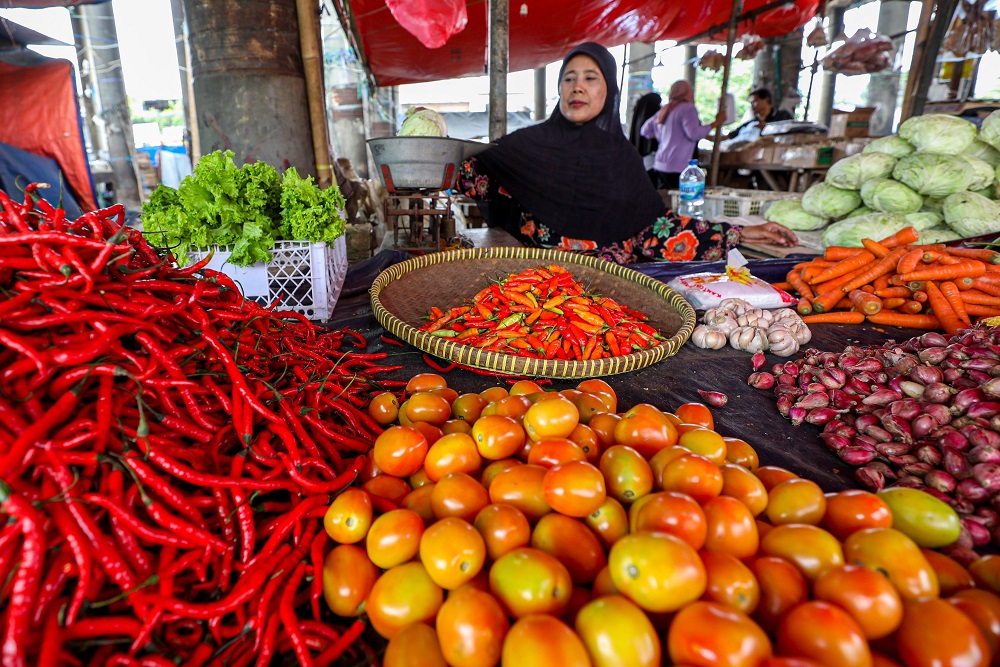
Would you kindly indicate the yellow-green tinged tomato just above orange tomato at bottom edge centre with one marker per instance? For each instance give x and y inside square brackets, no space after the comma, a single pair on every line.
[530,581]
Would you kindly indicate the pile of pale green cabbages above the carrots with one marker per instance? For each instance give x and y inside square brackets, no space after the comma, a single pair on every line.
[938,174]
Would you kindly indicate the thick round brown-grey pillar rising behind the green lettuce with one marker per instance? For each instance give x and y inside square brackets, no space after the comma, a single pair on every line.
[249,85]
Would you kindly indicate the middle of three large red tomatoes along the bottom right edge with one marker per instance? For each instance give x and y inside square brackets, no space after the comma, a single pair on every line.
[825,633]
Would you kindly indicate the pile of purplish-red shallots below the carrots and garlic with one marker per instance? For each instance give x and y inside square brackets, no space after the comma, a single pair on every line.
[924,413]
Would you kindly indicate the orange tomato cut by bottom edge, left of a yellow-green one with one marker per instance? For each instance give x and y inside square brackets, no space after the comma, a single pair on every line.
[540,640]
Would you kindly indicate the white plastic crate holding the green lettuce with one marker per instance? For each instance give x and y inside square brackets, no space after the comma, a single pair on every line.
[303,277]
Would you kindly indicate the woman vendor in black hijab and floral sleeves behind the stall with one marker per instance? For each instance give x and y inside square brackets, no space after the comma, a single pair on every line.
[575,182]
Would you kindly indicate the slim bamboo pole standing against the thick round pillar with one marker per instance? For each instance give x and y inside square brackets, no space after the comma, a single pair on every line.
[312,65]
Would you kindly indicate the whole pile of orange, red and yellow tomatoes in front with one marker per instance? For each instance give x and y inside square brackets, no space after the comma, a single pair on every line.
[520,527]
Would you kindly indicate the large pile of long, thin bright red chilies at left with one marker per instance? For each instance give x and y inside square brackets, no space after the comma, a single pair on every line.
[167,451]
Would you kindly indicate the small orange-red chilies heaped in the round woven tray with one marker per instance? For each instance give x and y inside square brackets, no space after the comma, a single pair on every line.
[544,313]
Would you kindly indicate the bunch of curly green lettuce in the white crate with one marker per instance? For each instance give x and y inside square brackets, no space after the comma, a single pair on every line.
[246,208]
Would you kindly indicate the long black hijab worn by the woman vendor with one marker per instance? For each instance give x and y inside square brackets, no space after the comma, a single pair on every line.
[582,181]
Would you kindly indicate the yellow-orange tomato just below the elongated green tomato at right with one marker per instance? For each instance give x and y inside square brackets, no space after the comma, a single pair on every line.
[895,555]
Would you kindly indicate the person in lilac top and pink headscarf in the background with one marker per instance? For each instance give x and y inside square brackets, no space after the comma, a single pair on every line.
[678,131]
